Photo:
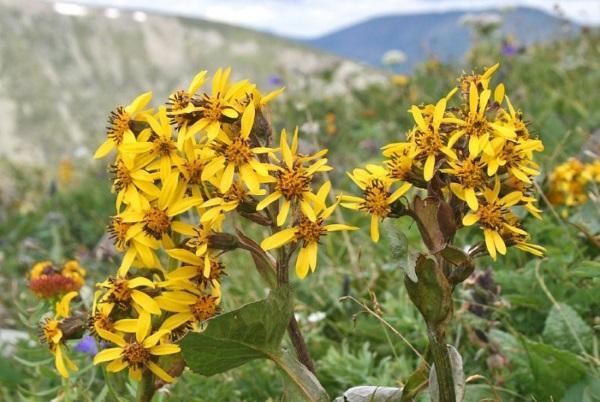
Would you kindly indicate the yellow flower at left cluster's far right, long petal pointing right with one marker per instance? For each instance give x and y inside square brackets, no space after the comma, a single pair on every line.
[308,233]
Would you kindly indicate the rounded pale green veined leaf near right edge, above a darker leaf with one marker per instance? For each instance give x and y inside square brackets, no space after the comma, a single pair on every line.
[565,329]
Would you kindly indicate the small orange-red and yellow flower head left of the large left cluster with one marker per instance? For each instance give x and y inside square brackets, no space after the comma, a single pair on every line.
[47,280]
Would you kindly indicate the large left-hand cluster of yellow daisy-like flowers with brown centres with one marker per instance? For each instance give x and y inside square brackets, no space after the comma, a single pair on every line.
[180,170]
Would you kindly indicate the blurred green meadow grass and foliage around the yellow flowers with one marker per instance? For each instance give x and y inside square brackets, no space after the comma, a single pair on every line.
[541,317]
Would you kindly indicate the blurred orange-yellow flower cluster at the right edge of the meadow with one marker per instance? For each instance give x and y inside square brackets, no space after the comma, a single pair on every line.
[570,181]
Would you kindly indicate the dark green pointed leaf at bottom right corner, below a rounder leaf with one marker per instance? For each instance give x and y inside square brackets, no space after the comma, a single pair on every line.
[554,370]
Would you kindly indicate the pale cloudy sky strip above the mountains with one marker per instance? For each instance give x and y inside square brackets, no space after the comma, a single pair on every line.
[312,18]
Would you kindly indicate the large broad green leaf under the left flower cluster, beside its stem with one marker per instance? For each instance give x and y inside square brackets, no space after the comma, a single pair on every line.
[251,332]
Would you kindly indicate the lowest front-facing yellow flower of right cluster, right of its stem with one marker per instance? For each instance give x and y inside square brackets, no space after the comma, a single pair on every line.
[493,216]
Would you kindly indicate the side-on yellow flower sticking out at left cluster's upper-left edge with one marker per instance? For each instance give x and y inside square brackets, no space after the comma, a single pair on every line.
[118,124]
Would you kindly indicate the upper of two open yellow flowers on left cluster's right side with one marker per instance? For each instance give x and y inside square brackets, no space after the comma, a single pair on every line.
[293,179]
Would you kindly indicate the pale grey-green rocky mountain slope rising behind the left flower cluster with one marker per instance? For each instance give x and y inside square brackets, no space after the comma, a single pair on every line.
[60,75]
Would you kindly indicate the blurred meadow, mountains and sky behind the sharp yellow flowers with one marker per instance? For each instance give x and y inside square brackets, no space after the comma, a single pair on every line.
[351,69]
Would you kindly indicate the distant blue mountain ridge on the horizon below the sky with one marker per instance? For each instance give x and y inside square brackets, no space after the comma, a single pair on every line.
[439,34]
